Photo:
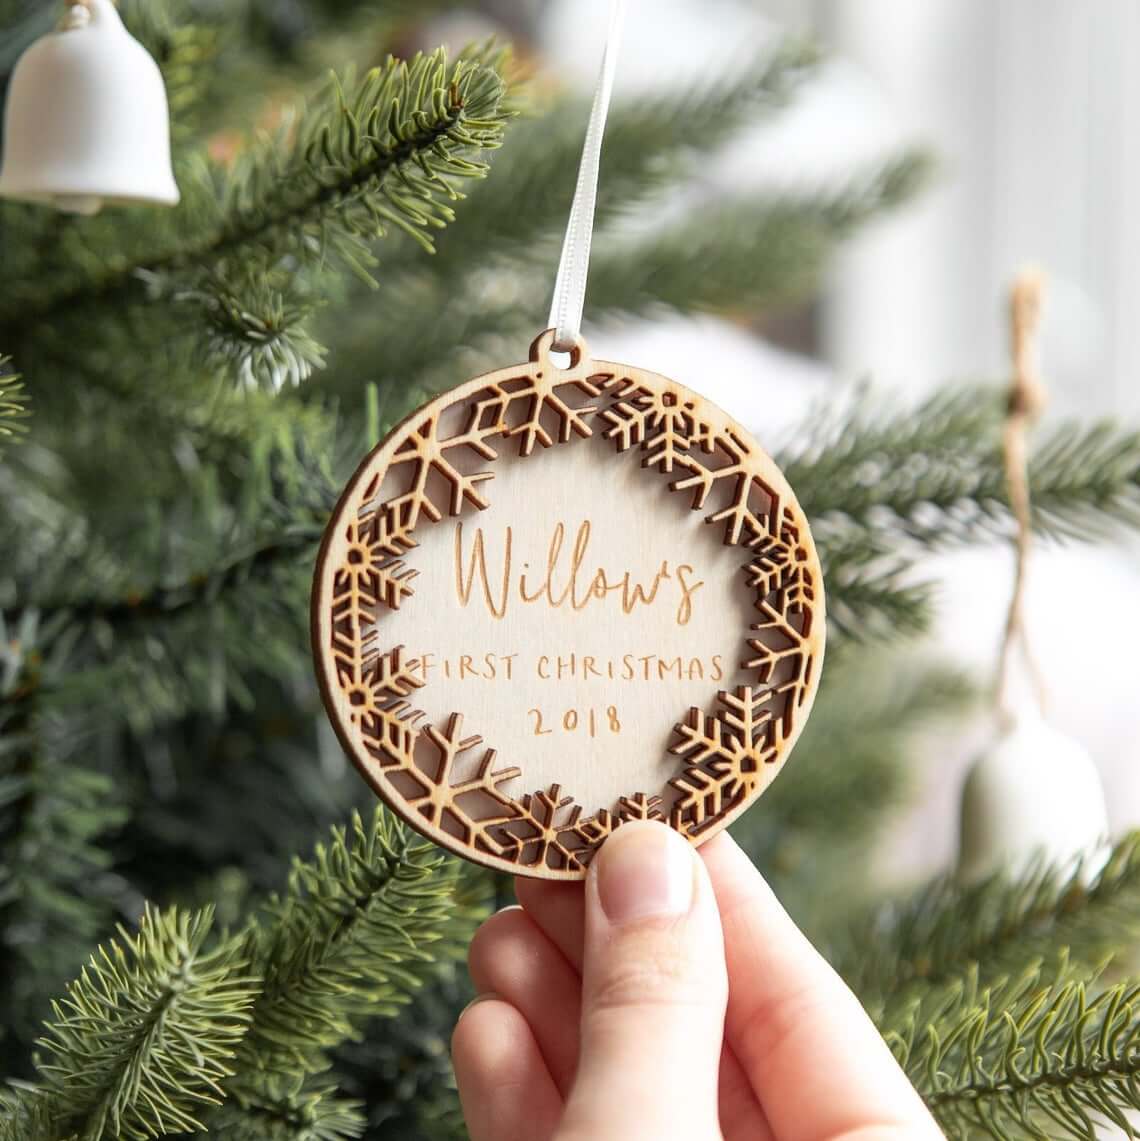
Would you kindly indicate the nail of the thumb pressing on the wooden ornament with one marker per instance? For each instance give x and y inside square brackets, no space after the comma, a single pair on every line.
[645,871]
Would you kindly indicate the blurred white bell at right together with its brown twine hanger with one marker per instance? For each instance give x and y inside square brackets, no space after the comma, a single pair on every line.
[1036,794]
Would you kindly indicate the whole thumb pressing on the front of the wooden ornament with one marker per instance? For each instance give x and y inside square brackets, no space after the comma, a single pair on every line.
[654,991]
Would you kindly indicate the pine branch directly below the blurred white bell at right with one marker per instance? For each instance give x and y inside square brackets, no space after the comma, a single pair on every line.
[948,928]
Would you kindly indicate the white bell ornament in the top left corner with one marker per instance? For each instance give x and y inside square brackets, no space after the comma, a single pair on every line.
[87,120]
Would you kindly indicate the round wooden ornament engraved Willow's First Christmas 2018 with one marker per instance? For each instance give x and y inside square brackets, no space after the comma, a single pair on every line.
[556,600]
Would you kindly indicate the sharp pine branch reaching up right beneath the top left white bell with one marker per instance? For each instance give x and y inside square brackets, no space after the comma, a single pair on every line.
[391,155]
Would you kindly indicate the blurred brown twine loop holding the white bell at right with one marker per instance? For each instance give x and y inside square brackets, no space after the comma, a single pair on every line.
[1026,402]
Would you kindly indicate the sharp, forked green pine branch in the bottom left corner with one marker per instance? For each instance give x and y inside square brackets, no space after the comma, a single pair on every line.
[152,1031]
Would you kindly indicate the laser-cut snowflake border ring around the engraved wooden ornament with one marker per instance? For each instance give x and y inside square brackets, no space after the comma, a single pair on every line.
[724,754]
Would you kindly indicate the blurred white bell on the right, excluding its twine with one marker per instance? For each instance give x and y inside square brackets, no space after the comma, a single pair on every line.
[1034,795]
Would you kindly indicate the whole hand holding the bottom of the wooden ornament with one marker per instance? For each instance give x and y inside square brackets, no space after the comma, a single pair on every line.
[673,999]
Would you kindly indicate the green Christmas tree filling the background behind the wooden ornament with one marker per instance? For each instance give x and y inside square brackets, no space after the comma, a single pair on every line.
[205,921]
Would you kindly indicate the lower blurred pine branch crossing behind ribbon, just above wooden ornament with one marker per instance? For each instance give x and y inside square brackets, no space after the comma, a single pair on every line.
[761,254]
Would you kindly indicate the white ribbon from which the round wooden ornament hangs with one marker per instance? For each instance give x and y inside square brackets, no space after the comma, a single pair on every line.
[575,266]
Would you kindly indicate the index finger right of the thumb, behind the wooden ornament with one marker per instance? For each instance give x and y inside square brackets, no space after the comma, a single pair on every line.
[818,1063]
